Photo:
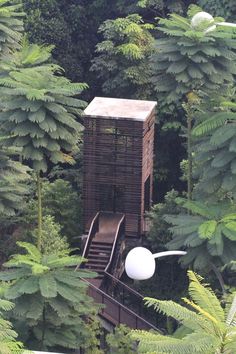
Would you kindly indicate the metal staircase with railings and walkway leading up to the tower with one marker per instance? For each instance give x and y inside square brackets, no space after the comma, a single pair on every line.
[103,251]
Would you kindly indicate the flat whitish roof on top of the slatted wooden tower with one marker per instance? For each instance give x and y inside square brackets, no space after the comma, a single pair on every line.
[105,107]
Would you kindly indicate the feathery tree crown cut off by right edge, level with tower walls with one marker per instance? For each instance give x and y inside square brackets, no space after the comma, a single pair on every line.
[215,152]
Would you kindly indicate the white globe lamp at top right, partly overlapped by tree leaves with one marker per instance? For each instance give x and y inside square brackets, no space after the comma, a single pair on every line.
[204,17]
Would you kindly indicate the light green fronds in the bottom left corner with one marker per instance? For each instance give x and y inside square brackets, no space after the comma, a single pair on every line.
[9,344]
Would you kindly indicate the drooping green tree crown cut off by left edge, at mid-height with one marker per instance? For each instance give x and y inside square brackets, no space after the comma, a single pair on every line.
[13,183]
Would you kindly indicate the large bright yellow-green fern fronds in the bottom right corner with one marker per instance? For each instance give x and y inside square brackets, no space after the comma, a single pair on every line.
[209,328]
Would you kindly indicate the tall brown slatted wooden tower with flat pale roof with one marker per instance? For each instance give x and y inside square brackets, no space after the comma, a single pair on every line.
[118,160]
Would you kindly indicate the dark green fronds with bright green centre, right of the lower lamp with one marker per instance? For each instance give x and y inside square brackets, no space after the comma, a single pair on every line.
[207,231]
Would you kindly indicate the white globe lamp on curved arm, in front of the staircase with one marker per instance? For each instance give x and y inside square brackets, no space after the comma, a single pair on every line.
[140,262]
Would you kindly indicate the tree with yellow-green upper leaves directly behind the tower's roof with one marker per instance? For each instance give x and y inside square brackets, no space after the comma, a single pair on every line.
[122,61]
